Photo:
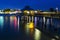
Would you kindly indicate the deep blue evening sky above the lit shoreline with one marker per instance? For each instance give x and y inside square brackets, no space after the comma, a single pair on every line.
[35,4]
